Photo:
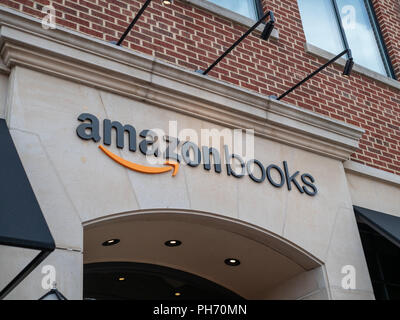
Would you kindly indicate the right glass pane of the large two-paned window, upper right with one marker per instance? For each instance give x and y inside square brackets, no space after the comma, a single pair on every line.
[360,34]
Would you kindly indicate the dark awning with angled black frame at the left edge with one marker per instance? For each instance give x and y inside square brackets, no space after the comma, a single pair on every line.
[21,220]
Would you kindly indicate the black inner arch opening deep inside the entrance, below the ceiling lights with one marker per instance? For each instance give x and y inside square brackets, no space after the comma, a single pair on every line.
[142,281]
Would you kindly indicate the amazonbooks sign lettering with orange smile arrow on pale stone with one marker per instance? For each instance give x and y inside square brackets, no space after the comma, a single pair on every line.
[277,176]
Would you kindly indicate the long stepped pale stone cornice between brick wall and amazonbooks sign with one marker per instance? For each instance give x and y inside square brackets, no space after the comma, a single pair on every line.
[76,57]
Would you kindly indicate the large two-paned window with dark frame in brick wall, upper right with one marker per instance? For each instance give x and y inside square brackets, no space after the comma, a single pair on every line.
[322,29]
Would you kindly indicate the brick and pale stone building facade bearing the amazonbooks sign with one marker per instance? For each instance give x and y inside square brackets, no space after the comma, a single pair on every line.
[122,147]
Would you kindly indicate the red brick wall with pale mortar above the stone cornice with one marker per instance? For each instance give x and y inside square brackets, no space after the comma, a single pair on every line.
[193,38]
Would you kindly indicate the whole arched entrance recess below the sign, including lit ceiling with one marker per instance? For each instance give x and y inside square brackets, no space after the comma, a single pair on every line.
[180,254]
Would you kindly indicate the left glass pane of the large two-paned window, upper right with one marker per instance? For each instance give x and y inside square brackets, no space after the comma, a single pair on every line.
[320,25]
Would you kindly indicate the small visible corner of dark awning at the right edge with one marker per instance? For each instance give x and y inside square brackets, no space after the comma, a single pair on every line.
[385,224]
